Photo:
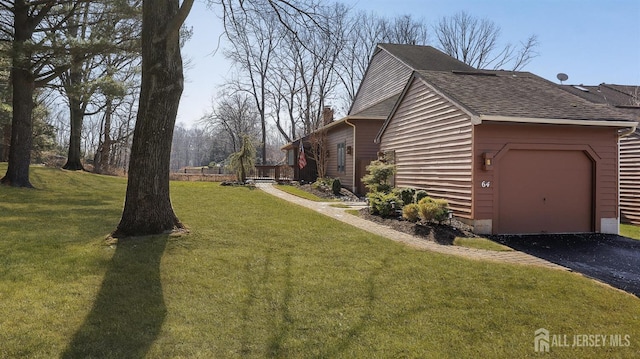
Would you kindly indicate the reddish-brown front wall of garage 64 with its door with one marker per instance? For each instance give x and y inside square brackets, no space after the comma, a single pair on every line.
[545,178]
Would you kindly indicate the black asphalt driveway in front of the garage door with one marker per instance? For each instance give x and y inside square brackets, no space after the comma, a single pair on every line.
[612,259]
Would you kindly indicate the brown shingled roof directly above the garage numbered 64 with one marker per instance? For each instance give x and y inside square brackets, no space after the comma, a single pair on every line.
[517,94]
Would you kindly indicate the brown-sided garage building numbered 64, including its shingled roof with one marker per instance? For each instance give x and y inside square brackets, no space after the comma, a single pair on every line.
[510,151]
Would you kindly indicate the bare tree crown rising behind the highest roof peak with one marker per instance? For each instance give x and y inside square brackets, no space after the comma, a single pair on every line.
[475,42]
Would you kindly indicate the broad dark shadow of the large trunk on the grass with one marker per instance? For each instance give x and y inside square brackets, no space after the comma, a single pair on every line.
[129,310]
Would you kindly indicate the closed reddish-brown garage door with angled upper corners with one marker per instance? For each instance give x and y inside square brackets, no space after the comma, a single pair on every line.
[545,192]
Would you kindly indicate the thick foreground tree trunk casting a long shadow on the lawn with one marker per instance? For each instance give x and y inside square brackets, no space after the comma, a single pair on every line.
[147,208]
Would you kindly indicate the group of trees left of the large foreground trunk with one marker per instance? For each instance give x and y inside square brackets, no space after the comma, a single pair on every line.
[85,52]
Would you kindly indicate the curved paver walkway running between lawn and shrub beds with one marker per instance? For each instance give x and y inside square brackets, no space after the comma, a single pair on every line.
[375,228]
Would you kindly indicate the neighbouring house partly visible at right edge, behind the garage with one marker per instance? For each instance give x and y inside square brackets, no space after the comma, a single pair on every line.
[625,98]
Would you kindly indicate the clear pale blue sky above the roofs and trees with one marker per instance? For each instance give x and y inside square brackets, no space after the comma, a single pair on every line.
[592,41]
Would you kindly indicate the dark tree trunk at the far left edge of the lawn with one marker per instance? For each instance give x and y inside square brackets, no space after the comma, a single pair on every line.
[23,83]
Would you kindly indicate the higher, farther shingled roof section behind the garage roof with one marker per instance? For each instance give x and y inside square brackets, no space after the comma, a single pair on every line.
[424,58]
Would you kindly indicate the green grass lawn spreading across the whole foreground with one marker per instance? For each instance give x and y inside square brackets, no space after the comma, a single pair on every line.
[259,277]
